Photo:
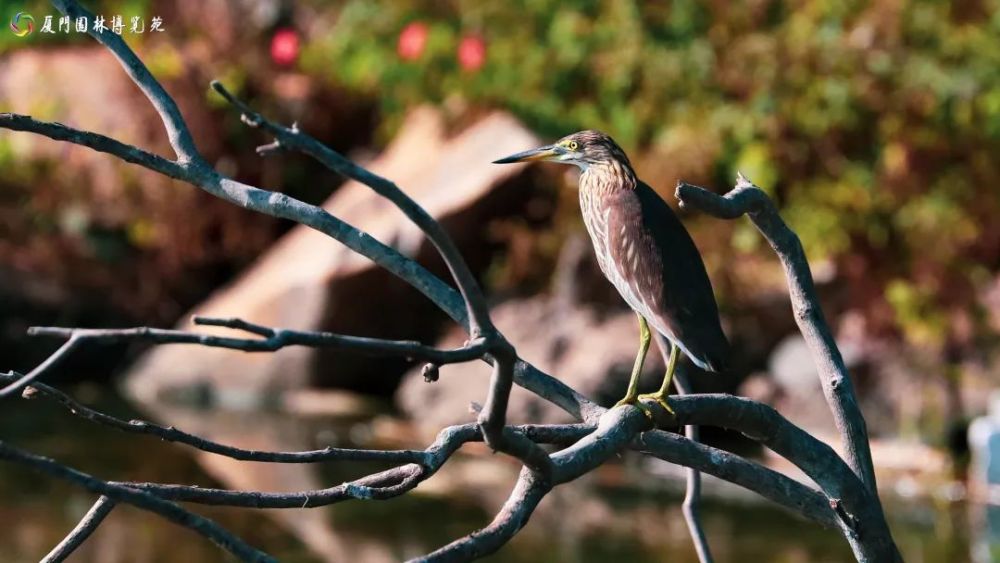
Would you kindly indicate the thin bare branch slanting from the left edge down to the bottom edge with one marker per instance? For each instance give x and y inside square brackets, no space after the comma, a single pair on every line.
[141,499]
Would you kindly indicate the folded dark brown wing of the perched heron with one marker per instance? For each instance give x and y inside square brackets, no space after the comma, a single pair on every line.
[663,275]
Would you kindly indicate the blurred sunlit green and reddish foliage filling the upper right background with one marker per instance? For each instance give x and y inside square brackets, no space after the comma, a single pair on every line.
[874,124]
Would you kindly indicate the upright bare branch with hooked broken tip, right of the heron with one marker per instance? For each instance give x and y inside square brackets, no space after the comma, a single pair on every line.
[748,199]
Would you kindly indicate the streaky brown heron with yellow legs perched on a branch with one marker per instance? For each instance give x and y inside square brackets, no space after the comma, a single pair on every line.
[646,253]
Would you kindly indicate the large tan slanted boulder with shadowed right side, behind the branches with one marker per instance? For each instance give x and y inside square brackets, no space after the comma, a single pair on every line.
[308,281]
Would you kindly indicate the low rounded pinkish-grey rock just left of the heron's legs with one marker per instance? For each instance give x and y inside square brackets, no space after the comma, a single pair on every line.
[591,353]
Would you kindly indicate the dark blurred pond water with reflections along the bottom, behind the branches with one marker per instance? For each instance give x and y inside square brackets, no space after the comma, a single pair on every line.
[622,513]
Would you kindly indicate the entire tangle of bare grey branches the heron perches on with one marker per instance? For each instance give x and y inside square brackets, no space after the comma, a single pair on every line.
[849,500]
